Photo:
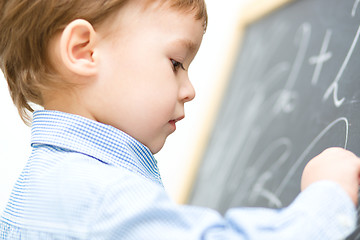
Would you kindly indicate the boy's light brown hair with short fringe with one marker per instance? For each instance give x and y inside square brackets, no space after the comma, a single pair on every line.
[26,27]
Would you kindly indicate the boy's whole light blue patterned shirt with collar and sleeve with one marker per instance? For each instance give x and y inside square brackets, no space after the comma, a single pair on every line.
[87,180]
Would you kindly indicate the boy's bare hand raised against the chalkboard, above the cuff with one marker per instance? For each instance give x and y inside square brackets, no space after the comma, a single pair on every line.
[334,164]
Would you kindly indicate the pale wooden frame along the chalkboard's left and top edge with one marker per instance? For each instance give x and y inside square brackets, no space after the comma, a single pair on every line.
[255,10]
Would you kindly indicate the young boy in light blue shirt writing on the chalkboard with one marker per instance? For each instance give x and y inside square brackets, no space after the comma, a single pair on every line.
[112,76]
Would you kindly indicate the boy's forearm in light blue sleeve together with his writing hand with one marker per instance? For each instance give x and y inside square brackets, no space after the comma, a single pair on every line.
[324,210]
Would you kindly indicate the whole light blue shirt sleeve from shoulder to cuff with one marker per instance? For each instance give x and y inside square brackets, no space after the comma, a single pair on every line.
[136,209]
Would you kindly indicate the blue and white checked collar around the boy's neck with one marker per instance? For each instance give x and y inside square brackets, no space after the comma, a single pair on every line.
[102,142]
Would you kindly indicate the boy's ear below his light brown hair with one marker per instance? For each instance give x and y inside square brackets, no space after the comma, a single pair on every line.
[77,48]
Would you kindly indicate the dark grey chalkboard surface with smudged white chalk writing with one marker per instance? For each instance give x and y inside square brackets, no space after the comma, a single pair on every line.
[294,91]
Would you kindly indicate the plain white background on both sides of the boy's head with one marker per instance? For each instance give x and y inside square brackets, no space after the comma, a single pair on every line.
[174,158]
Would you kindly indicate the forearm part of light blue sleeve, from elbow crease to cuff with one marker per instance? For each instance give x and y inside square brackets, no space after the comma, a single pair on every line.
[322,211]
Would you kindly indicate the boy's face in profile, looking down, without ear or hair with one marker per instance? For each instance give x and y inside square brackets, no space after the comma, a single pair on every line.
[142,86]
